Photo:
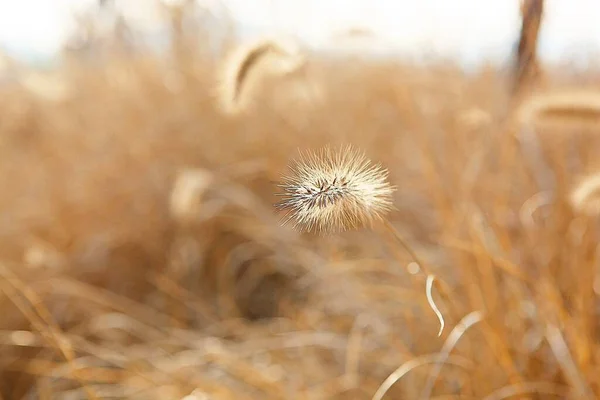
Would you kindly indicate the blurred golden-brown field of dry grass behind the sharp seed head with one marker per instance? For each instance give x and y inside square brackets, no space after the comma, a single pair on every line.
[141,256]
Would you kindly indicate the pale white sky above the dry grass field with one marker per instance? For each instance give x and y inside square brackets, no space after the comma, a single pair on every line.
[465,28]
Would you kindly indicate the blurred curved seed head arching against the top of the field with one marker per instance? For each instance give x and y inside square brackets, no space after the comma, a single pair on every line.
[247,64]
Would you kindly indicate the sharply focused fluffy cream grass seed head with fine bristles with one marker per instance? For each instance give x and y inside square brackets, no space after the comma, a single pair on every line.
[331,190]
